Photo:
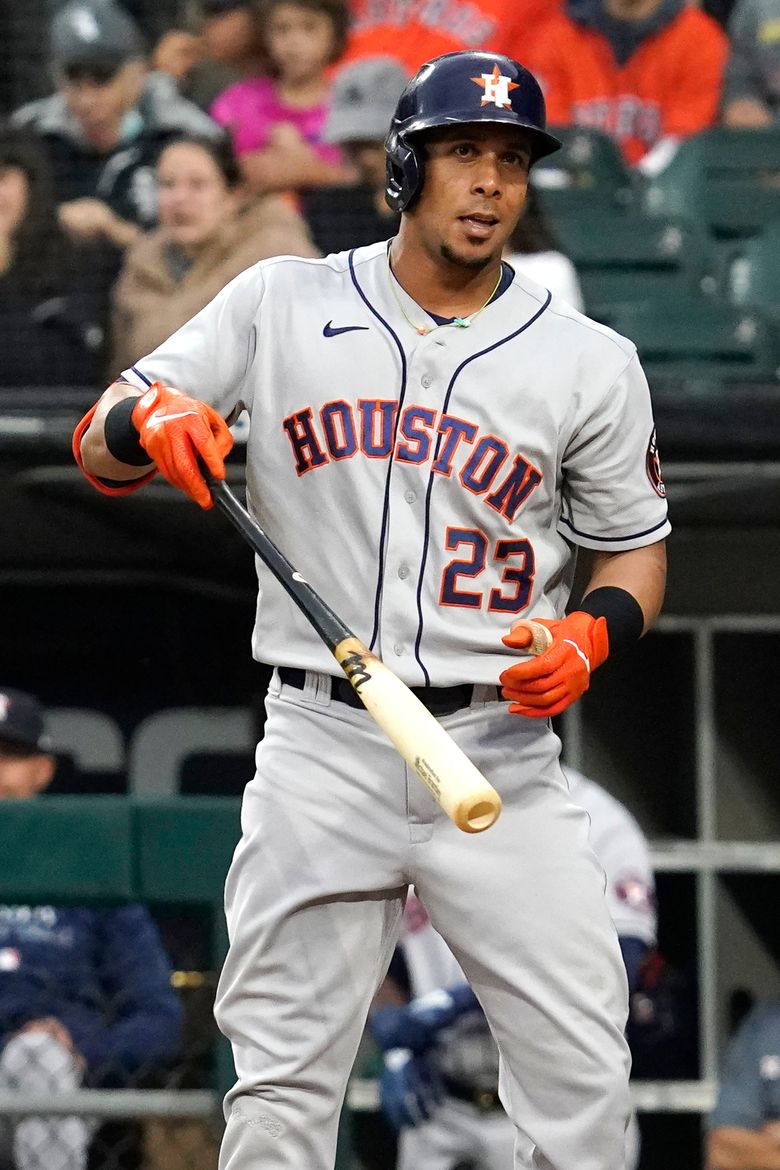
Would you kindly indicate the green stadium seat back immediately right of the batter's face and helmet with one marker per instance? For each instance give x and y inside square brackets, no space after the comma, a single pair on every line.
[589,170]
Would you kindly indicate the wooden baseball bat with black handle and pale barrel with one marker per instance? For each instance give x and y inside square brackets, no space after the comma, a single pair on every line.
[461,790]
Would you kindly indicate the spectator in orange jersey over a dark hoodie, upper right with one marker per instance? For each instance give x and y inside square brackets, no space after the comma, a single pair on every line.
[647,72]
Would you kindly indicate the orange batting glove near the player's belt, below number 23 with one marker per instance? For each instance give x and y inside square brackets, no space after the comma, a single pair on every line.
[547,685]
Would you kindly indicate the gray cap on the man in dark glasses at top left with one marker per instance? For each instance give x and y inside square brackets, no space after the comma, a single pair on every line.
[94,36]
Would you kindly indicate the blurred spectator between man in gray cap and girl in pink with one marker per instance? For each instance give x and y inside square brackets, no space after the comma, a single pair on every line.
[219,46]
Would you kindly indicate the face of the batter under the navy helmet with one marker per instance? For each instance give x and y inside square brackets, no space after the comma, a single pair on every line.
[475,184]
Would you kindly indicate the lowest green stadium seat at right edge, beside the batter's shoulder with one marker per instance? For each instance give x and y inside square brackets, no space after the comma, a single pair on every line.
[696,338]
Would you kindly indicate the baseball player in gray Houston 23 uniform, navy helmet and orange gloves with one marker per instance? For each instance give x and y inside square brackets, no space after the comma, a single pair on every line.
[432,437]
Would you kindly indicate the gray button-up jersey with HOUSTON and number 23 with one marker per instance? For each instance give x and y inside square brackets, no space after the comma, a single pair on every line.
[451,474]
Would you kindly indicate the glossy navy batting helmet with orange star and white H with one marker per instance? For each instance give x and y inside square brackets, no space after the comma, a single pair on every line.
[459,88]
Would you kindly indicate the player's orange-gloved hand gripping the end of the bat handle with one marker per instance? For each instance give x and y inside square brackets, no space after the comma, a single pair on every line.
[177,432]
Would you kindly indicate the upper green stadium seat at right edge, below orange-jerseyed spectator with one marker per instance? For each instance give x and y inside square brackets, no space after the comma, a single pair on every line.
[726,180]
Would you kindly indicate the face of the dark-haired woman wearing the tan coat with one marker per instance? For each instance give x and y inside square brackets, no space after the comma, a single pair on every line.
[194,198]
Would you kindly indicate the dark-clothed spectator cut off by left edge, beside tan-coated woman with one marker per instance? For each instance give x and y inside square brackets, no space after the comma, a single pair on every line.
[53,295]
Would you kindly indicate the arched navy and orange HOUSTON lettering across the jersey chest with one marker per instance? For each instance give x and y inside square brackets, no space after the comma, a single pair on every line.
[441,443]
